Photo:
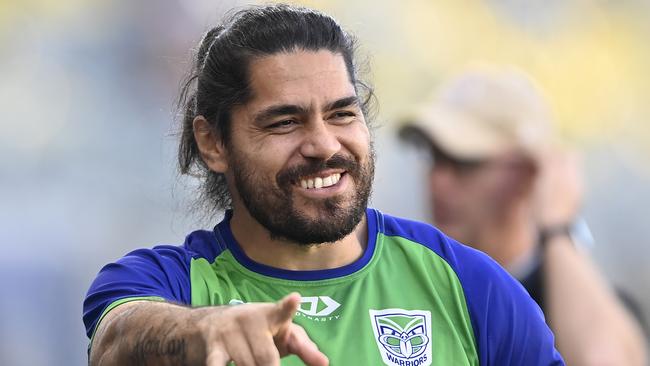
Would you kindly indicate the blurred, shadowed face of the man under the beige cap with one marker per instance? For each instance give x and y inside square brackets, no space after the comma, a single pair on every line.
[468,195]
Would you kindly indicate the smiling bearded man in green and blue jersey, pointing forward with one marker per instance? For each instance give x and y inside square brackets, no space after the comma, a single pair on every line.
[275,126]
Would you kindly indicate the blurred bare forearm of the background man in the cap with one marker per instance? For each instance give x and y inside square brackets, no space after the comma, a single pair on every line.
[591,325]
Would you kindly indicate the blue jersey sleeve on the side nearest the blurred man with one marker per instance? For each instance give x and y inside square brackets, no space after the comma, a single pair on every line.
[508,325]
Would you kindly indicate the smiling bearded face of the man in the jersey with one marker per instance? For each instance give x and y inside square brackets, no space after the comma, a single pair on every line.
[300,158]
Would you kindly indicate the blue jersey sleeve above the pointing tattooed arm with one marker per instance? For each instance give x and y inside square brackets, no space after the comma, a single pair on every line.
[163,271]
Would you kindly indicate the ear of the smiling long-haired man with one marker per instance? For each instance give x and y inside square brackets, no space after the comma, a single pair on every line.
[211,147]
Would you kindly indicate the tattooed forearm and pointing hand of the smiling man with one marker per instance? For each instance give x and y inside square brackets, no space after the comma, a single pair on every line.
[152,333]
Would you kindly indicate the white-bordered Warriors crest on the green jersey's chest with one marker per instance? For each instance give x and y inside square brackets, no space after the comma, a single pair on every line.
[403,336]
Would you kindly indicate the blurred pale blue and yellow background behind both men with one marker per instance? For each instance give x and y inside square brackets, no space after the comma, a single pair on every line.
[87,122]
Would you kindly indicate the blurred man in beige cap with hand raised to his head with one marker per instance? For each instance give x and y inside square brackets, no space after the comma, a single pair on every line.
[498,185]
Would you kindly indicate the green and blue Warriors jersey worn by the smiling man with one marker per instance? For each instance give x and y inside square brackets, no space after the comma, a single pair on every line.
[415,297]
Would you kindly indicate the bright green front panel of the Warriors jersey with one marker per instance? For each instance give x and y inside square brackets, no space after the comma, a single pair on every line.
[336,313]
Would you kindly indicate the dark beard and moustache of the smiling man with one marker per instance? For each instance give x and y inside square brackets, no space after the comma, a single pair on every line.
[274,208]
